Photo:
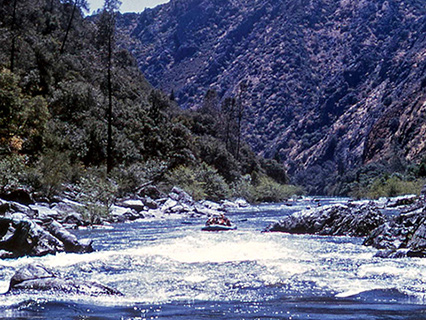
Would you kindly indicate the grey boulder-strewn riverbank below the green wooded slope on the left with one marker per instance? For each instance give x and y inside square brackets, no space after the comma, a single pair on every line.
[30,227]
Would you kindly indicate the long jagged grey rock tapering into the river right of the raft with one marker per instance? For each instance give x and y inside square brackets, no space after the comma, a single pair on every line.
[336,220]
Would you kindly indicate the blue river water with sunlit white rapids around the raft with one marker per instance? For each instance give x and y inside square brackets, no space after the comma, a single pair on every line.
[170,269]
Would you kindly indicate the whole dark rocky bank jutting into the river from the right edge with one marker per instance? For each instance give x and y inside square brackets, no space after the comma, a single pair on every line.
[397,227]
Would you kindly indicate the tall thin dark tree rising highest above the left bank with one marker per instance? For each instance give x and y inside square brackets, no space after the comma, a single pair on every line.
[106,37]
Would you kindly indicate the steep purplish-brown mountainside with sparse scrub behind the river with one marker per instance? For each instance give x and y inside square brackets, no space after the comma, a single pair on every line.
[332,84]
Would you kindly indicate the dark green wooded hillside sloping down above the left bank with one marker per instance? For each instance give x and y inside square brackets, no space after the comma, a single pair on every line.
[54,117]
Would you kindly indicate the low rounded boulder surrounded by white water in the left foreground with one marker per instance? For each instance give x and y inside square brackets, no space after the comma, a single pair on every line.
[39,278]
